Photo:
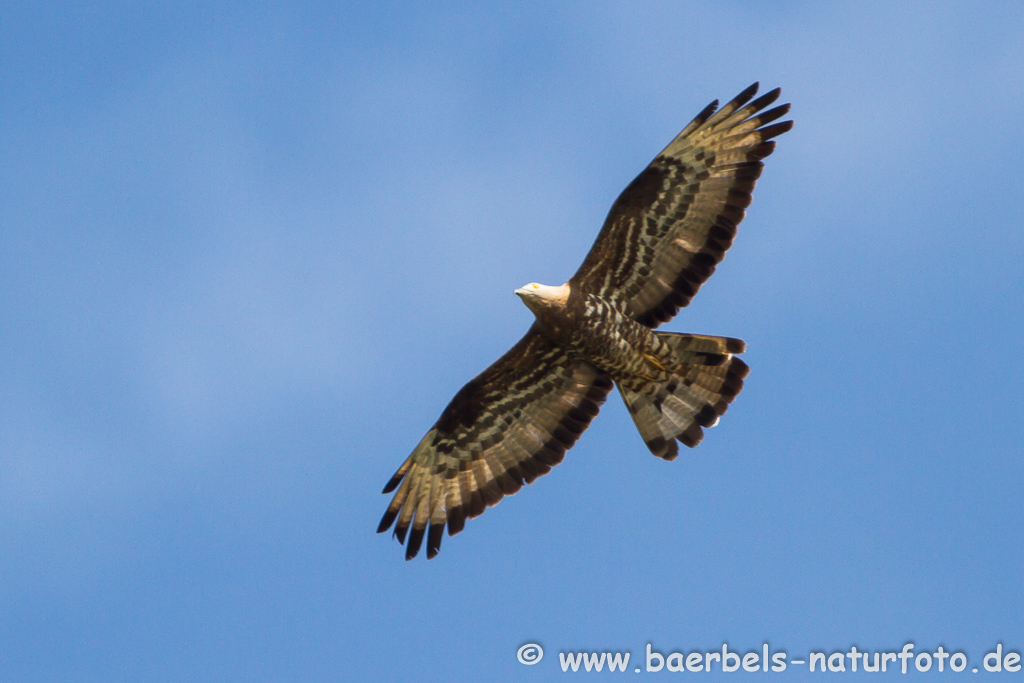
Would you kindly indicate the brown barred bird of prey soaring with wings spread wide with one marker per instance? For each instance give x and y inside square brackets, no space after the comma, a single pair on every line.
[662,240]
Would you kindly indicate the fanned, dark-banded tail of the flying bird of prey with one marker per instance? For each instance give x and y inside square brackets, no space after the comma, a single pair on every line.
[696,397]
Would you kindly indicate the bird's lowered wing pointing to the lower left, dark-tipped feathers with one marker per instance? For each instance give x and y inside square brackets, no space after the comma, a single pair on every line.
[507,426]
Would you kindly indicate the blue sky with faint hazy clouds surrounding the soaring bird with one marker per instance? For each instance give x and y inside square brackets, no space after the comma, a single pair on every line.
[247,255]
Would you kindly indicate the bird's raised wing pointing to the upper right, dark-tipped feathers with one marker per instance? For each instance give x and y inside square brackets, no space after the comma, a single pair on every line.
[672,226]
